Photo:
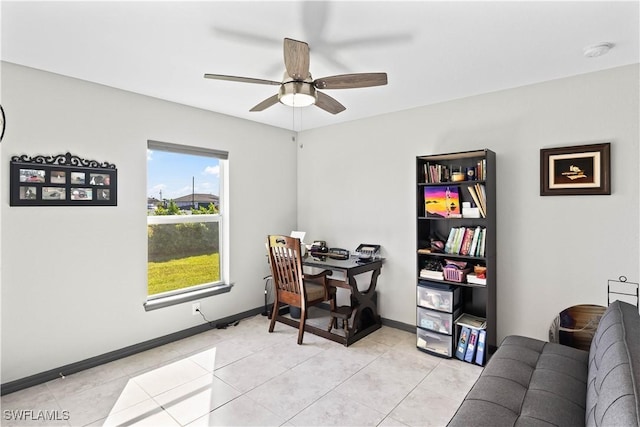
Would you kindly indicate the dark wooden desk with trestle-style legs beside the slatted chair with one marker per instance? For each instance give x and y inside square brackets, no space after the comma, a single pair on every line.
[364,303]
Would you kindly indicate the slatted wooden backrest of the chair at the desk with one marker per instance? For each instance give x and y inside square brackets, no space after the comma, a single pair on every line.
[286,269]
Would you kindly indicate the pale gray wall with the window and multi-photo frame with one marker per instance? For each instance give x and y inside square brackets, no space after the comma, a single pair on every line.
[74,278]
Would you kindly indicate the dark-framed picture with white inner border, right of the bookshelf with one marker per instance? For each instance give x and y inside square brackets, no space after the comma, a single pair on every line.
[576,170]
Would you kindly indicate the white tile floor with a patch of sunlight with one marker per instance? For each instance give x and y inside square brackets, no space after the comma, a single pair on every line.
[245,376]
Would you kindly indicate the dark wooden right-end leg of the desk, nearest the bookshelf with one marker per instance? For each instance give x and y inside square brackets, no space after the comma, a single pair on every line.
[366,317]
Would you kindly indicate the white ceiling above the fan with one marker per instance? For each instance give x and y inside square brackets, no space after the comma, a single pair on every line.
[432,51]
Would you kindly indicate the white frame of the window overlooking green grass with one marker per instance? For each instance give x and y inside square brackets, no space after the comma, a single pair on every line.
[166,299]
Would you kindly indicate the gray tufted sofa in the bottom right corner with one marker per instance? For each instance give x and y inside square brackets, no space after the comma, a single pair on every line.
[529,382]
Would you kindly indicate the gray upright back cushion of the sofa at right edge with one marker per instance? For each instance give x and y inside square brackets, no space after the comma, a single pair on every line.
[614,371]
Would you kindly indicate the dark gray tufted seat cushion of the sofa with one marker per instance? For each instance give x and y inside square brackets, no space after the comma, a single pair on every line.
[528,382]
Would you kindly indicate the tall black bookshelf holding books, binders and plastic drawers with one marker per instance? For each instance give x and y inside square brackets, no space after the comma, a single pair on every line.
[435,220]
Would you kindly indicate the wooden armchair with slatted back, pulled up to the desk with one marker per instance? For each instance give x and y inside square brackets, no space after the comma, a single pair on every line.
[291,285]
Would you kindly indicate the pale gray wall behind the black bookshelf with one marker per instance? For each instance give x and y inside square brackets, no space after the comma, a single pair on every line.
[357,184]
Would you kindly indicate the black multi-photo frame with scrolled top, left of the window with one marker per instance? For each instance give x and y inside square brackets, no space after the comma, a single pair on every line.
[62,180]
